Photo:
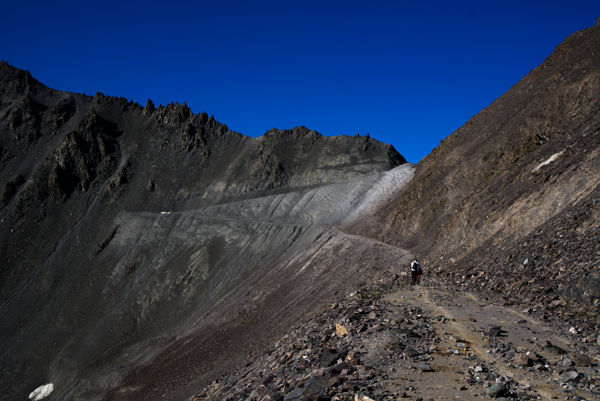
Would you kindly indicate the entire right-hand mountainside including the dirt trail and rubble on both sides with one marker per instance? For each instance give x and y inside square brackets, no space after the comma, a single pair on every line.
[505,215]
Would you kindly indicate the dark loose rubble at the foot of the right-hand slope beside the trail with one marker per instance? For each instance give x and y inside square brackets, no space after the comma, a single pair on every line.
[561,279]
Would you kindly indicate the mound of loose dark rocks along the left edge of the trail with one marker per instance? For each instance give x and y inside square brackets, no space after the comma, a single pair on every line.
[314,362]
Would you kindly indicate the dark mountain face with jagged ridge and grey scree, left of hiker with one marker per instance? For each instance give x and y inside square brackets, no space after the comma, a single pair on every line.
[147,249]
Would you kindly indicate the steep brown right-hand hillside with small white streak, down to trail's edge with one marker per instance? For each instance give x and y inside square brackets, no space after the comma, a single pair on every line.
[509,203]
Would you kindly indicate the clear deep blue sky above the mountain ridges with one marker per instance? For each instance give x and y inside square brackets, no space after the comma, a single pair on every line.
[407,73]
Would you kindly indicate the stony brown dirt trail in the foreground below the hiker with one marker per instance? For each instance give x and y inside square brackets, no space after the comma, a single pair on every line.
[465,357]
